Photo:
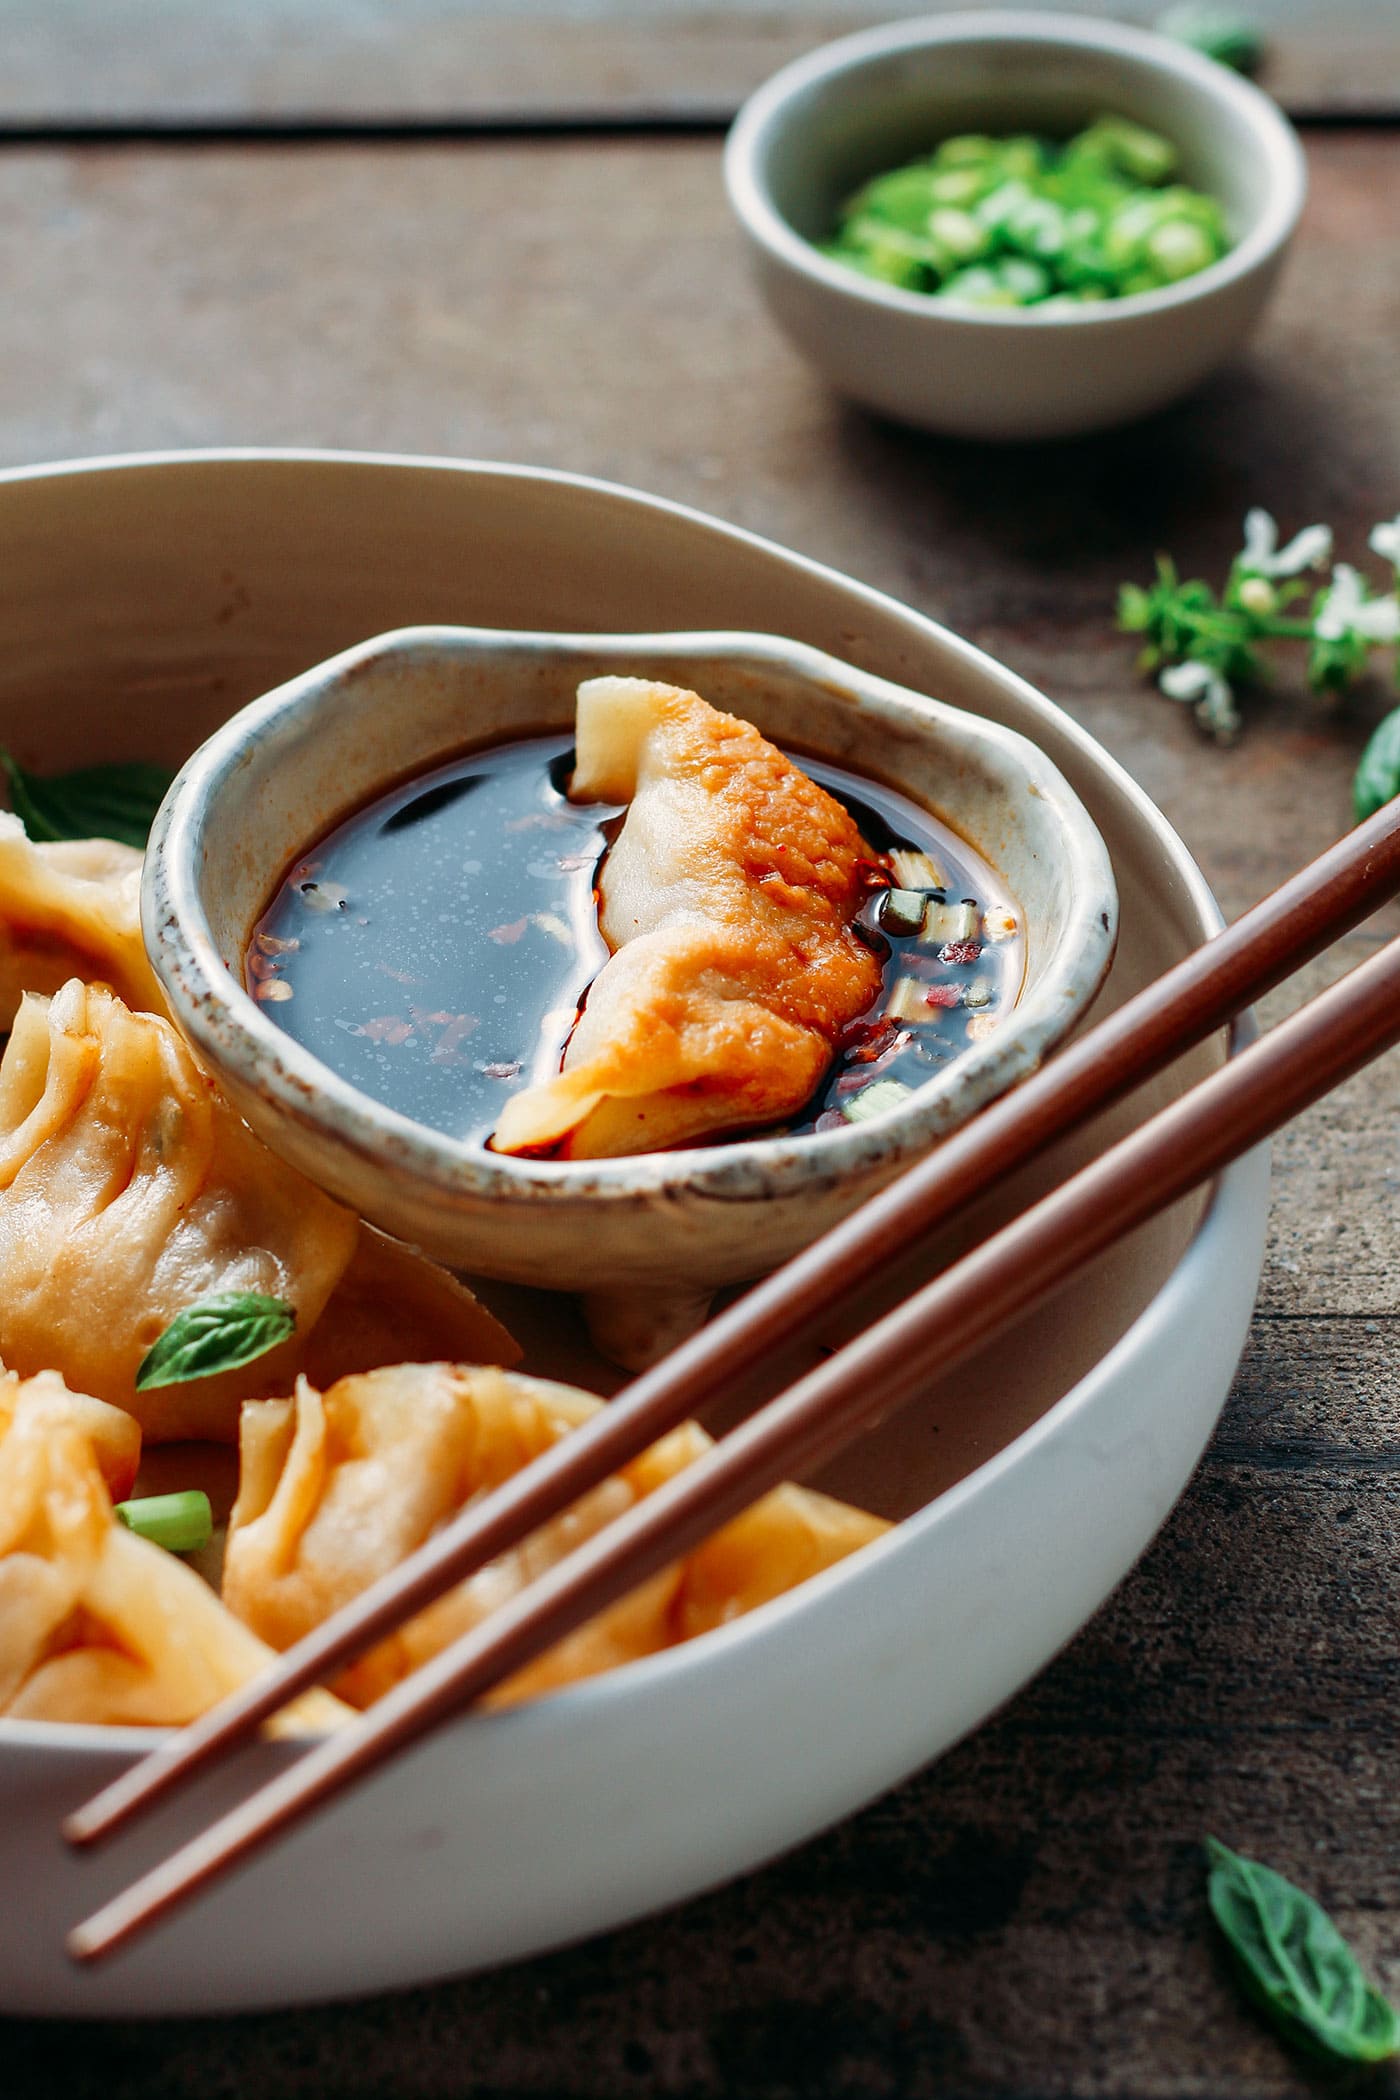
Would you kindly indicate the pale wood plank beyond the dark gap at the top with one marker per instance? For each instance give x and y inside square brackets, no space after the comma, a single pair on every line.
[383,62]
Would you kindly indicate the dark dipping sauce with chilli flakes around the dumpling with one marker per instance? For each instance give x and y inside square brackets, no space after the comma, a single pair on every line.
[436,948]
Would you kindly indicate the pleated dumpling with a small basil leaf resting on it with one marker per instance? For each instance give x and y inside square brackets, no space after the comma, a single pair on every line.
[131,1192]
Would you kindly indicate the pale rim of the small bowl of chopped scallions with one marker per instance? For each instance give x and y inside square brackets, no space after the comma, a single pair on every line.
[1277,144]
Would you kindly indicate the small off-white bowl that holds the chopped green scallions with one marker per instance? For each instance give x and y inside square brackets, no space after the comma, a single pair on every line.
[822,127]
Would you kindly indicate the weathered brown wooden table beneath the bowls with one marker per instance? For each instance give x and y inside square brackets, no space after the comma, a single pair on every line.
[503,234]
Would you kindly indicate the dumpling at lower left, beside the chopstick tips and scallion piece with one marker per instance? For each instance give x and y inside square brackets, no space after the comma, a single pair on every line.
[96,1622]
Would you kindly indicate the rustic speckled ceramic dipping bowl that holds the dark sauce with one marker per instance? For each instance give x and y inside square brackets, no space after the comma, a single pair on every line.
[658,1227]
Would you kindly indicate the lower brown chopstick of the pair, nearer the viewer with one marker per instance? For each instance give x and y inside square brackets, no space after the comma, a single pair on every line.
[943,1322]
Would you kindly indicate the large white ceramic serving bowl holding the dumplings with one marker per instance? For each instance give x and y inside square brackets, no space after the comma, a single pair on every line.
[140,606]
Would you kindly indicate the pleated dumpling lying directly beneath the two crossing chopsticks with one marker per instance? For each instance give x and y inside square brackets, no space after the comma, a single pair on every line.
[339,1488]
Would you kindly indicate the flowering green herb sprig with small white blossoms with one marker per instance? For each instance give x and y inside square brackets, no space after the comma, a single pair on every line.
[1204,646]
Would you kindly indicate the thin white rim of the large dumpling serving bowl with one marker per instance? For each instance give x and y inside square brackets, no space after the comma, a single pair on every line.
[1168,1305]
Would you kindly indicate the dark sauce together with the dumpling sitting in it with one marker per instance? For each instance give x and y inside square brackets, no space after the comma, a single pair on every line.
[664,936]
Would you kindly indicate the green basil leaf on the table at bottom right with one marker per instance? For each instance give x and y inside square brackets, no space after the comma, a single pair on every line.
[1294,1962]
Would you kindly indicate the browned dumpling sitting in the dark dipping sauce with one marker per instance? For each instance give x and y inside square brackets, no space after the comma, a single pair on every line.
[729,902]
